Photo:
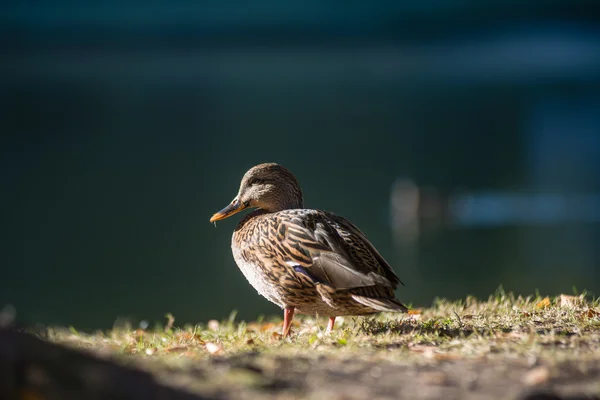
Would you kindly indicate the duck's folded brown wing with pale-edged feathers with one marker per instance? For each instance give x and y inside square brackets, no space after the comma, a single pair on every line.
[332,251]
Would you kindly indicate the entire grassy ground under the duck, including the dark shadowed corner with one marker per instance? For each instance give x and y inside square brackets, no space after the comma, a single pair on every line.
[505,348]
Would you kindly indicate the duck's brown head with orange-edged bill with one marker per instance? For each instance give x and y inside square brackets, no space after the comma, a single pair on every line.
[270,187]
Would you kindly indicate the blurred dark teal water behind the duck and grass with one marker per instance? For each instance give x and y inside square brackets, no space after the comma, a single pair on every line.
[462,137]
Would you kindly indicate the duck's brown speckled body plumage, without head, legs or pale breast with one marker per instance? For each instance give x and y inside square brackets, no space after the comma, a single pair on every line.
[310,248]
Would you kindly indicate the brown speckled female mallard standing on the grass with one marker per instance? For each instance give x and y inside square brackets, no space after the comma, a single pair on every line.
[303,260]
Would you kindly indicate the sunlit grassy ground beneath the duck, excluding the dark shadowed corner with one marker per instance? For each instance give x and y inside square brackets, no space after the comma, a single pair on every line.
[536,337]
